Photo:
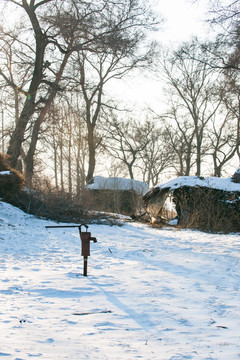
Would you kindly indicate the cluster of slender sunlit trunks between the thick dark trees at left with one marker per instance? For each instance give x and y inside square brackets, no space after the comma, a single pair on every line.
[65,141]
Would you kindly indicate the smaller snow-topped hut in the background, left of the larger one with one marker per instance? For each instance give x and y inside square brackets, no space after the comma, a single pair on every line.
[115,194]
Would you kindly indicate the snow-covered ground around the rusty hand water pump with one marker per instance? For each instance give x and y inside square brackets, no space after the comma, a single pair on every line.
[150,294]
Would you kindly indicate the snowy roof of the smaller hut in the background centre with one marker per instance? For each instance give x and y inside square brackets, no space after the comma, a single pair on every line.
[117,183]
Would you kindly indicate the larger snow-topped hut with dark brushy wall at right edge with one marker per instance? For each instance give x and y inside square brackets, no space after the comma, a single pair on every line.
[210,203]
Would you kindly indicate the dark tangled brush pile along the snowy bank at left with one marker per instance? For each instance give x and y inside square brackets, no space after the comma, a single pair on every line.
[43,200]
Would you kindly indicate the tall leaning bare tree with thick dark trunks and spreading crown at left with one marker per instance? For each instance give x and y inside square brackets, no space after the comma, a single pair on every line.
[58,29]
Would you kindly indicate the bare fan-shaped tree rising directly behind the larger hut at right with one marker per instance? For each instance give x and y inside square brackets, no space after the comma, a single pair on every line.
[194,91]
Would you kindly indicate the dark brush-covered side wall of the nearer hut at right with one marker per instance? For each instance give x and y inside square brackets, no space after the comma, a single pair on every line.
[207,209]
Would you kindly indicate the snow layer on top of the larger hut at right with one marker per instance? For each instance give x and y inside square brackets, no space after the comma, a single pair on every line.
[225,184]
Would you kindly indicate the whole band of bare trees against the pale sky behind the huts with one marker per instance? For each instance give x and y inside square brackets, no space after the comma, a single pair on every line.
[56,63]
